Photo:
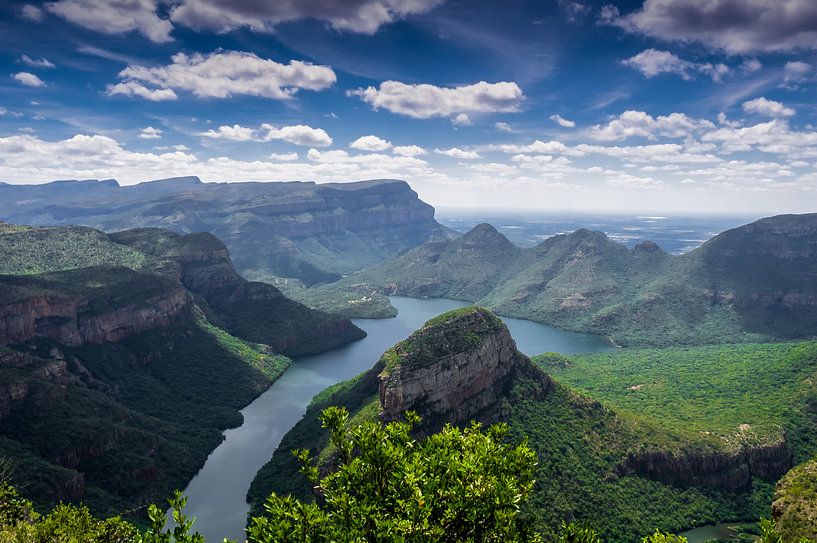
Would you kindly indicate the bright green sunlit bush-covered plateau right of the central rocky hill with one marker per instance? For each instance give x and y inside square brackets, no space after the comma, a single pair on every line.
[728,394]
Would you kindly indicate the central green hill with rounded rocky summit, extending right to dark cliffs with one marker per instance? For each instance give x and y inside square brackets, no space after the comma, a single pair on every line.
[623,472]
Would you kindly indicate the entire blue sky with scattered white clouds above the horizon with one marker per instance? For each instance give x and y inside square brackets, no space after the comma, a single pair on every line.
[694,106]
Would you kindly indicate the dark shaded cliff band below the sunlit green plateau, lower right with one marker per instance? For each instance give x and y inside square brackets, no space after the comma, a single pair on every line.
[714,468]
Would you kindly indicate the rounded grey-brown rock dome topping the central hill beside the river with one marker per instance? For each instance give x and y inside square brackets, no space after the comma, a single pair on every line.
[453,368]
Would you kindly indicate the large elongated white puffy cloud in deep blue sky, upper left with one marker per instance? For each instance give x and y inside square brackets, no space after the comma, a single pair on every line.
[223,74]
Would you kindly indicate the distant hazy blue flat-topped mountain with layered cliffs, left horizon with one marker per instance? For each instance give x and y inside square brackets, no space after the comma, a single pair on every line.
[311,232]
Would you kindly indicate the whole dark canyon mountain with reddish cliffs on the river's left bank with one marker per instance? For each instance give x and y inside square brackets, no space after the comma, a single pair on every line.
[117,372]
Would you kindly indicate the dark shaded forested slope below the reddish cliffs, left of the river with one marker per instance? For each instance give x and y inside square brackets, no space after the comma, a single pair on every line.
[137,417]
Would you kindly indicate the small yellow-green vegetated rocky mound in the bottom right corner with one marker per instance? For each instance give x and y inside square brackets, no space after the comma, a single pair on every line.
[795,504]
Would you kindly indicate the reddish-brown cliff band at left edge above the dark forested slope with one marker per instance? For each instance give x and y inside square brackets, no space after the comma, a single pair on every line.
[68,320]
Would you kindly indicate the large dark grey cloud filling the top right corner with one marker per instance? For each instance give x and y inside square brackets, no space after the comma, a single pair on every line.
[741,27]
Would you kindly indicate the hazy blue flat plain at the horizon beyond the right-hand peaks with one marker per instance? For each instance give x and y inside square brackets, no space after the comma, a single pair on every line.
[674,234]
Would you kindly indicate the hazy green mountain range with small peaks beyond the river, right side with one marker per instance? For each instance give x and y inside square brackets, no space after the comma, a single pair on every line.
[755,282]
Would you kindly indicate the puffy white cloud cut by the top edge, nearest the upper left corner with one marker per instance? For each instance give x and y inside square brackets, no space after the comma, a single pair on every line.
[115,17]
